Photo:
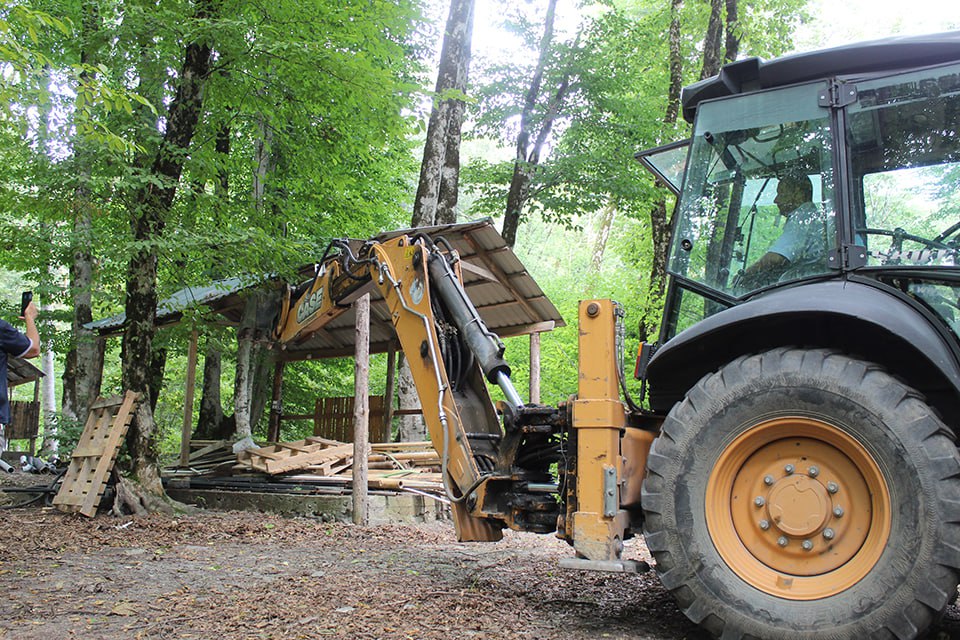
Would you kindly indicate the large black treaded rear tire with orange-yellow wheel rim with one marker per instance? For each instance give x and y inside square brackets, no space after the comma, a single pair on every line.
[805,494]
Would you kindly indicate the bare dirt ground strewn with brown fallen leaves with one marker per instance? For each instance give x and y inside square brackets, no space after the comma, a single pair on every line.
[246,575]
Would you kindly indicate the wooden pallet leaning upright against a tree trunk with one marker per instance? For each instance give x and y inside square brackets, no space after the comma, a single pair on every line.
[93,458]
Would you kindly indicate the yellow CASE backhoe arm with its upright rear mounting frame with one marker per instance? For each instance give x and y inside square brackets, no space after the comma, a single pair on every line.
[527,467]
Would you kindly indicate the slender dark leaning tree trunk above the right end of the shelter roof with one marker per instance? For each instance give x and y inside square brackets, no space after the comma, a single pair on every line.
[525,160]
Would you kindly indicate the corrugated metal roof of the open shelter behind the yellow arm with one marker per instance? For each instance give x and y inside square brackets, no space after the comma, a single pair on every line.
[507,297]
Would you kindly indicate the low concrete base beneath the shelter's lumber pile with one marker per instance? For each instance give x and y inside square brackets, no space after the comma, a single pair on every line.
[382,509]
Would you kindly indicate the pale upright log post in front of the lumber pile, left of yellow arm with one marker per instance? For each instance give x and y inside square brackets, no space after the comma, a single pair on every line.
[361,412]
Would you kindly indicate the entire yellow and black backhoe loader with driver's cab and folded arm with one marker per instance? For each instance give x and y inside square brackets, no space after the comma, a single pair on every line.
[795,471]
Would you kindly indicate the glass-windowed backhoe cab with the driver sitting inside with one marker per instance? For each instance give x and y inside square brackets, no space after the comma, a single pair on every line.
[818,167]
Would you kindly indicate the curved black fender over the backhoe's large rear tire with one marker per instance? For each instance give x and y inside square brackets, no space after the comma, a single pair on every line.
[868,320]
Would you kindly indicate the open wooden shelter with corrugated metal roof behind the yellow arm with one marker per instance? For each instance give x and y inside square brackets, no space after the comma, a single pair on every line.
[506,296]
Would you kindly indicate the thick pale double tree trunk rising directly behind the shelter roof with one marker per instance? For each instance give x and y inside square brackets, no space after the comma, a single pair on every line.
[445,120]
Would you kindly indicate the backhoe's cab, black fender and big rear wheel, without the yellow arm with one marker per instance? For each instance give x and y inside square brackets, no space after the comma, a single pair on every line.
[804,478]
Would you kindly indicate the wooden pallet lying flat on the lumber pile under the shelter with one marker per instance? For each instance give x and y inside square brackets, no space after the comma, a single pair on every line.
[319,453]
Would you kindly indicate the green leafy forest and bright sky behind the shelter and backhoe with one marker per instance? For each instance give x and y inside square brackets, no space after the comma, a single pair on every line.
[151,146]
